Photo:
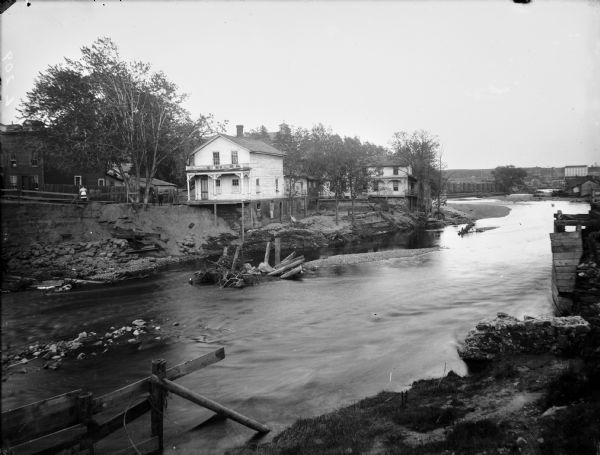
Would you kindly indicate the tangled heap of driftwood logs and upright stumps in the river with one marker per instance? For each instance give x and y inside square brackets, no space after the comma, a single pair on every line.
[234,273]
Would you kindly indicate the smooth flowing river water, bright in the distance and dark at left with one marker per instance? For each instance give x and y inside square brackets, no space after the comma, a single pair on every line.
[297,348]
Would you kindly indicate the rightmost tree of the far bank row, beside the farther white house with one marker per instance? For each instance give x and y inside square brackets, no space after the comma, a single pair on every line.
[419,151]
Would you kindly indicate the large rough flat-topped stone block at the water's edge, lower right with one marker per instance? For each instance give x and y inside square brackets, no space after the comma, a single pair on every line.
[505,335]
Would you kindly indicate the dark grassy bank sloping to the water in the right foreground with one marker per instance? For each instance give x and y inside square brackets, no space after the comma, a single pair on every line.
[498,410]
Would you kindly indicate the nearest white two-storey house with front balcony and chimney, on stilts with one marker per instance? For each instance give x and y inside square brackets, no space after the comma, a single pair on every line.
[235,169]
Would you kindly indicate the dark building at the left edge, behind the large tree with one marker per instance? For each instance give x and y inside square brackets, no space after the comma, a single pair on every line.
[22,150]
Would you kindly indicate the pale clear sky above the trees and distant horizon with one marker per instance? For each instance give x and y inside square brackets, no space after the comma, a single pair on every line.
[497,82]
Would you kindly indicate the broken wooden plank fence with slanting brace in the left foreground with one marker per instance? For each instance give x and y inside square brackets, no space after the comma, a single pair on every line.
[77,420]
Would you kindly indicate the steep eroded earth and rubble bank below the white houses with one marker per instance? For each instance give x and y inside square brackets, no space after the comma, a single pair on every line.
[107,243]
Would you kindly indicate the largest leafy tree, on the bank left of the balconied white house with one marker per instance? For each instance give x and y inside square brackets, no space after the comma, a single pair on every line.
[103,111]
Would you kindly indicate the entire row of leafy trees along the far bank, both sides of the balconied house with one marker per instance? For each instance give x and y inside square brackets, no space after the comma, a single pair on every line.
[102,112]
